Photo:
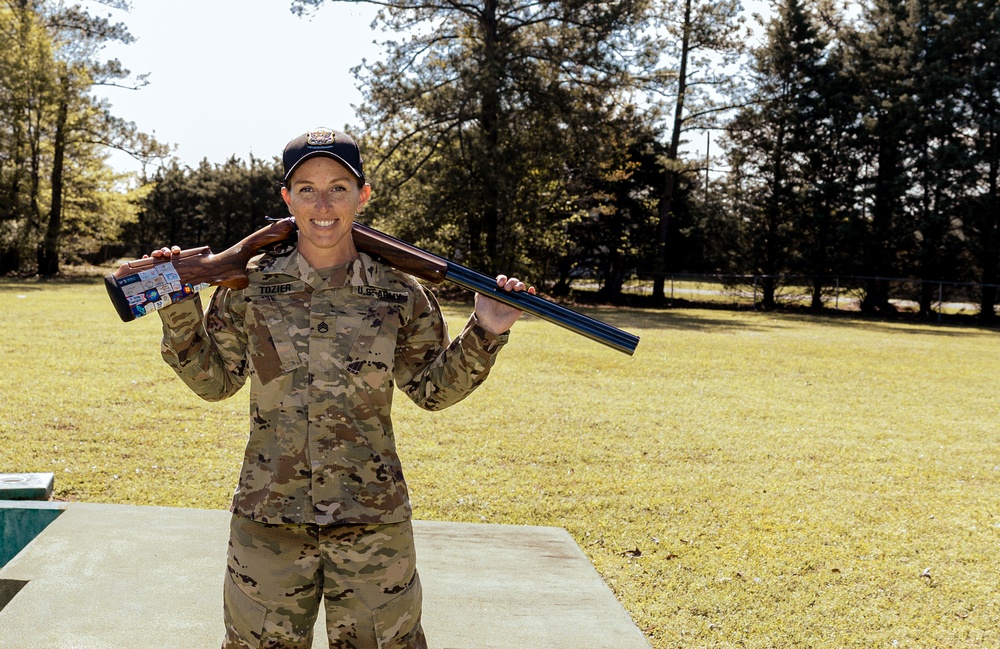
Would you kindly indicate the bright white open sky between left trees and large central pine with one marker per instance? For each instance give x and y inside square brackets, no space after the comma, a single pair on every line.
[237,77]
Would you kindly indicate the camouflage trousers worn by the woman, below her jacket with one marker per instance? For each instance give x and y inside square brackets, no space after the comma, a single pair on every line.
[366,575]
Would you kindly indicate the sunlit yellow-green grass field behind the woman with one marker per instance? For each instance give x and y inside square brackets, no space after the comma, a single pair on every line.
[745,480]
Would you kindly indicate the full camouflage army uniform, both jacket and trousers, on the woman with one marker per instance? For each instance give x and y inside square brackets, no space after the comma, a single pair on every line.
[321,460]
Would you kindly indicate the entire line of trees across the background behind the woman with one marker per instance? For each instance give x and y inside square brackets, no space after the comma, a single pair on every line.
[552,138]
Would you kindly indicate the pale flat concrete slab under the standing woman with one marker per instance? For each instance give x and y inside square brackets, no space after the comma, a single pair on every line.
[114,576]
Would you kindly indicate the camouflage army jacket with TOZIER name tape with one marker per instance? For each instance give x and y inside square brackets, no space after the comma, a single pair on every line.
[322,356]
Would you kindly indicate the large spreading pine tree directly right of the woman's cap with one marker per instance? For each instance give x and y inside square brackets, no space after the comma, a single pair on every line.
[481,115]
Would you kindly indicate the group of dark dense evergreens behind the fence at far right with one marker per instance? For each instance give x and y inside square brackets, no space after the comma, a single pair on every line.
[870,147]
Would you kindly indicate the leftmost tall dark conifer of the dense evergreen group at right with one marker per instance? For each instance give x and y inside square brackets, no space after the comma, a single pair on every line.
[777,152]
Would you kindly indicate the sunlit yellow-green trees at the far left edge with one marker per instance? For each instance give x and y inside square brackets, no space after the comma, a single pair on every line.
[57,194]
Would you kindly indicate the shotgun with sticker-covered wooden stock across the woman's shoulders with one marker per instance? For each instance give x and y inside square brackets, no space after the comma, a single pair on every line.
[145,285]
